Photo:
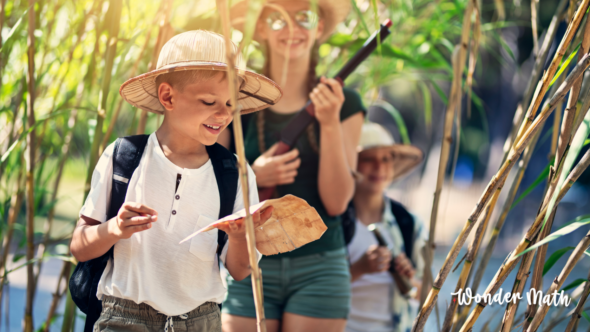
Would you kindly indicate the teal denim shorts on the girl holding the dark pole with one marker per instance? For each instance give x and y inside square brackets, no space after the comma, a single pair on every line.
[316,285]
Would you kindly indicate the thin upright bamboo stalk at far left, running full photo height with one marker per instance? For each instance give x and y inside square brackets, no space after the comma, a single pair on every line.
[30,190]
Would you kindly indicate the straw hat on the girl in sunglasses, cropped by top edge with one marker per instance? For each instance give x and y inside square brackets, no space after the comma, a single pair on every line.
[332,13]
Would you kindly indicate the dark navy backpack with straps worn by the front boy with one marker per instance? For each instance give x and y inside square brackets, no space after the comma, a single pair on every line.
[126,156]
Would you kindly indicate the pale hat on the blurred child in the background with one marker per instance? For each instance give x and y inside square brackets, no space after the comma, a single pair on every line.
[375,136]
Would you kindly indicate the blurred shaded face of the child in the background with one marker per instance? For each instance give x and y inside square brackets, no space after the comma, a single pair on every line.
[376,166]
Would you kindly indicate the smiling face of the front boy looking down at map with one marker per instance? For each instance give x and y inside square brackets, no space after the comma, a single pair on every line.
[201,110]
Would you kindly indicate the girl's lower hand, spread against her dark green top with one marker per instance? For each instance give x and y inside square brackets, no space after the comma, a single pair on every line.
[276,170]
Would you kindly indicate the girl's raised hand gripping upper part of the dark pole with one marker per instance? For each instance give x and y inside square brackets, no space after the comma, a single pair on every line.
[327,98]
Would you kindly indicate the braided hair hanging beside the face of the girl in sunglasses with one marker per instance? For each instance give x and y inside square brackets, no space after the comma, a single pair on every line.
[312,81]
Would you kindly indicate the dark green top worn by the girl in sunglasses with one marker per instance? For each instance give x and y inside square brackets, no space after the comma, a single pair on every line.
[306,182]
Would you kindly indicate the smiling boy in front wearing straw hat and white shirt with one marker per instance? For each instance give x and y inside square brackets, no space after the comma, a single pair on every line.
[153,283]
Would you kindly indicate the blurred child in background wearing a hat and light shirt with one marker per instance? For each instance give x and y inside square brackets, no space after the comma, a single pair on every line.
[377,304]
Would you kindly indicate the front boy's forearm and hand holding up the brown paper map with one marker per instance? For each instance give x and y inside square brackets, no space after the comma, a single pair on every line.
[237,261]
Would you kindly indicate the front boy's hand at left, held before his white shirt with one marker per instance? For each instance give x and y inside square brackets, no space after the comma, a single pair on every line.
[132,218]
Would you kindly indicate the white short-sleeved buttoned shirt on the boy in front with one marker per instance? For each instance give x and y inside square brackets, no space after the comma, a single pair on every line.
[151,267]
